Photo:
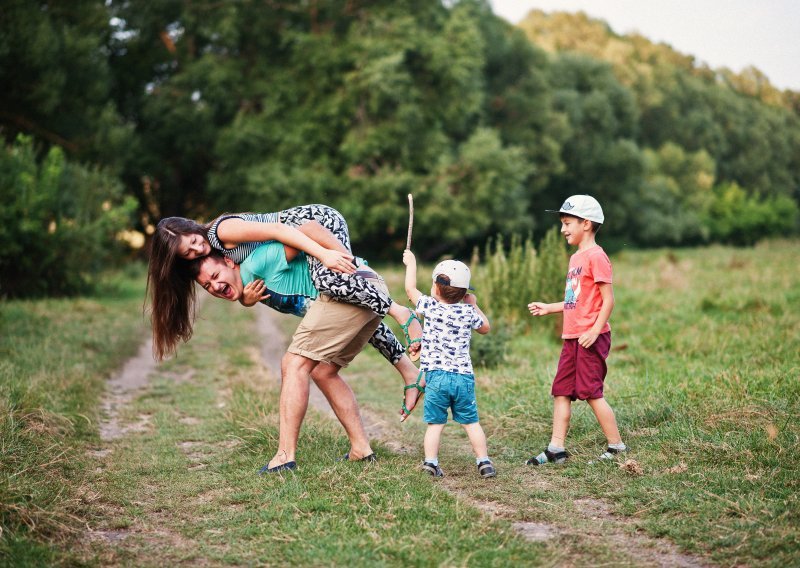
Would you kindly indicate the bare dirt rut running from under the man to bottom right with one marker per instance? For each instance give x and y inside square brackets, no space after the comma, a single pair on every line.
[606,526]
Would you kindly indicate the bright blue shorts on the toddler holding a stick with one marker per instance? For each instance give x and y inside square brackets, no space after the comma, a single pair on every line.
[452,391]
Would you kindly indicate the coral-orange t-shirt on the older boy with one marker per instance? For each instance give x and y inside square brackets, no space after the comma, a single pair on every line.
[582,299]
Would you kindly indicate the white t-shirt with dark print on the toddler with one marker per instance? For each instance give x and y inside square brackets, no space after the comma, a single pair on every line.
[446,335]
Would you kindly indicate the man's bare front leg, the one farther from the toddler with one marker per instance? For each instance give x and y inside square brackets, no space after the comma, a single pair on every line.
[295,373]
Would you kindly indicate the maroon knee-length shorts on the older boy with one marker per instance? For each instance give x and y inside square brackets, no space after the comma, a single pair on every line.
[581,371]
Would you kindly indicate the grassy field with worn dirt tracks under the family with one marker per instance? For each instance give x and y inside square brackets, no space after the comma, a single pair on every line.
[703,377]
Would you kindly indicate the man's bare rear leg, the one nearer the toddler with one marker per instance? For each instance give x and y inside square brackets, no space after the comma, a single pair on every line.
[344,405]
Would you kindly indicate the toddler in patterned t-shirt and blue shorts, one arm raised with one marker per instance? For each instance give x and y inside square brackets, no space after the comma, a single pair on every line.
[451,313]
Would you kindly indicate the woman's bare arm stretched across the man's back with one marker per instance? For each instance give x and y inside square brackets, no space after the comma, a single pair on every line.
[233,231]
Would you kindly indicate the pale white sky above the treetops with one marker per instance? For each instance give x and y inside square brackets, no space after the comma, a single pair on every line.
[722,33]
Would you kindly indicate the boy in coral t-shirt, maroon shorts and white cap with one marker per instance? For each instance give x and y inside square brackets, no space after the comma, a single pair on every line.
[587,305]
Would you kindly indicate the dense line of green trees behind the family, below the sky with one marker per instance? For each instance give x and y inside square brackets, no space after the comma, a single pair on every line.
[202,107]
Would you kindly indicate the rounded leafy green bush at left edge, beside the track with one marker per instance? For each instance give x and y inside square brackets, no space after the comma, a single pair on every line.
[59,223]
